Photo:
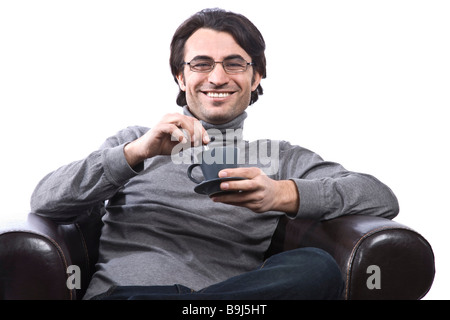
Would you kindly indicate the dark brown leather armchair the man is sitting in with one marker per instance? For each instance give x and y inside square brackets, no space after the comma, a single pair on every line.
[379,258]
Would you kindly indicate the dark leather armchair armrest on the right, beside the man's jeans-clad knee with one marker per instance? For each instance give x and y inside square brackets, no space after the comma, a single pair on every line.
[368,250]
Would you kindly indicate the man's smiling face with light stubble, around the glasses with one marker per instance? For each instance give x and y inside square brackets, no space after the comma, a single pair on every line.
[216,97]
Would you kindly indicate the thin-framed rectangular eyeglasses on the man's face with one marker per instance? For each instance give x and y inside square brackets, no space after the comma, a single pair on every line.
[230,65]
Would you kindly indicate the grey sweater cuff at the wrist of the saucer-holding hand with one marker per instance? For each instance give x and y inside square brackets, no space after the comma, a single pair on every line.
[311,193]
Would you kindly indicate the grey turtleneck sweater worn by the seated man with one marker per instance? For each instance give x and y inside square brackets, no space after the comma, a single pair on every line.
[158,231]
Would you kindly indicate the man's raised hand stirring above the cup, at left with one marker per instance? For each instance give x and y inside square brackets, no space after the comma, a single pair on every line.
[164,136]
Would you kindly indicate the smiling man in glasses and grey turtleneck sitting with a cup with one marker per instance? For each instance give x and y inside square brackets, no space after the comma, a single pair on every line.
[162,240]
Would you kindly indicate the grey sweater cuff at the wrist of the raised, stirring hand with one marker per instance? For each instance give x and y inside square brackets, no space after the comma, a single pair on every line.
[117,169]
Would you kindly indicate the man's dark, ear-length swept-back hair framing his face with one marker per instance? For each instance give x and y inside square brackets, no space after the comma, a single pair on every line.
[243,31]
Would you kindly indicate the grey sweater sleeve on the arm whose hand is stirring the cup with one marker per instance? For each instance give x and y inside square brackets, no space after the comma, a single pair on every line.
[83,186]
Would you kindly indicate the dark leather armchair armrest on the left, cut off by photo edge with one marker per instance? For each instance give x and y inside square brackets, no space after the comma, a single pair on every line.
[35,255]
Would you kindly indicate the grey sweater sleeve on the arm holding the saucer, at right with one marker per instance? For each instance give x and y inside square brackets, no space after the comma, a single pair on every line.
[327,190]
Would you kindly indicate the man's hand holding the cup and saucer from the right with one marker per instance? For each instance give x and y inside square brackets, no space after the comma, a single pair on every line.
[259,193]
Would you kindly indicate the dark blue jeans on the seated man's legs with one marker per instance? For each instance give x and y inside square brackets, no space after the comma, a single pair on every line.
[300,274]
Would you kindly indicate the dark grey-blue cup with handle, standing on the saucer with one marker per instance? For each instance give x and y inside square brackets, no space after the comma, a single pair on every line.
[214,160]
